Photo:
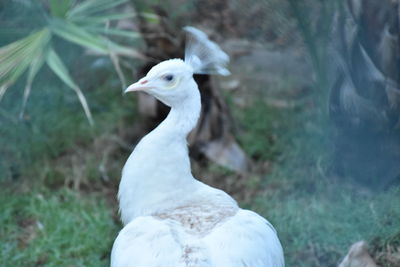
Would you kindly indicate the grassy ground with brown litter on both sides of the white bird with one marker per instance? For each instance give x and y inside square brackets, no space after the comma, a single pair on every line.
[60,208]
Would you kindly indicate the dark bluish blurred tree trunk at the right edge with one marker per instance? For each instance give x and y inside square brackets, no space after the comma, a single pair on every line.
[365,98]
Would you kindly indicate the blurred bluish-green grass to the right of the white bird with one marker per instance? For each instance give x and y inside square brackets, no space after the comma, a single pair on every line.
[318,216]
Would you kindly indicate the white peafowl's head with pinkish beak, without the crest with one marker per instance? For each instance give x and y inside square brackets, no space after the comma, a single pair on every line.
[170,81]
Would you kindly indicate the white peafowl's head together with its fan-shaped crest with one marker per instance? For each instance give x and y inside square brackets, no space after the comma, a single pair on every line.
[172,82]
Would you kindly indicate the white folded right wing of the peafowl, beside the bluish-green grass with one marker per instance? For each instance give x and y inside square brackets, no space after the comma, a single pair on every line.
[246,240]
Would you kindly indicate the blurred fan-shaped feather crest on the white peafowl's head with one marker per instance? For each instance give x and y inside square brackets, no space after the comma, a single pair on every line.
[203,55]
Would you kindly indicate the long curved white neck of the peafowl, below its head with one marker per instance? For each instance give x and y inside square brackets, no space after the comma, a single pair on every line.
[158,175]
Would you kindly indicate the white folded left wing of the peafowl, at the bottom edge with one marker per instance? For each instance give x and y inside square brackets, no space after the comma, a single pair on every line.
[146,241]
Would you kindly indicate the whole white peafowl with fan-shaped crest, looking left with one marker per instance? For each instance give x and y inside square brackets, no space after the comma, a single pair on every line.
[170,218]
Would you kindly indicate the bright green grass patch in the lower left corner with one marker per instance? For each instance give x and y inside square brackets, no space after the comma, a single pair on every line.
[55,228]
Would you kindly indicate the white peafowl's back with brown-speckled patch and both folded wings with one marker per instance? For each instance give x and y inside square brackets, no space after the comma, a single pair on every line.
[198,235]
